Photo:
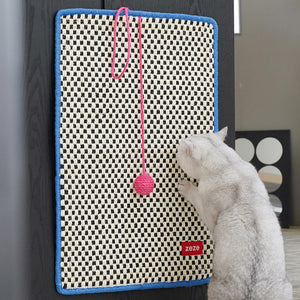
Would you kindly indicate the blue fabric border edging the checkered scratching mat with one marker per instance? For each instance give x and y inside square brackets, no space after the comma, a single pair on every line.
[76,11]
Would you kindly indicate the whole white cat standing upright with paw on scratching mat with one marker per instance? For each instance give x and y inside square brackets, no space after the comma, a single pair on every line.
[232,201]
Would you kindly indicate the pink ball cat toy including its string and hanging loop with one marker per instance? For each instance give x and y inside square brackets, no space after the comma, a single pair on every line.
[143,184]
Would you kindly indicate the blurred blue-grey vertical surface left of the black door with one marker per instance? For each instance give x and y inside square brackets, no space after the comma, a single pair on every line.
[13,241]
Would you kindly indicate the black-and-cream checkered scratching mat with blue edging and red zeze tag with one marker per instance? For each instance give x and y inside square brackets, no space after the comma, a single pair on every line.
[110,238]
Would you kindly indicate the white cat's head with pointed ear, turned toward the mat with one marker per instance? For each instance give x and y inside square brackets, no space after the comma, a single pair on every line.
[199,153]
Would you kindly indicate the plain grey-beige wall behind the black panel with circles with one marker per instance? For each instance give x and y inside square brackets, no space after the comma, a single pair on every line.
[267,78]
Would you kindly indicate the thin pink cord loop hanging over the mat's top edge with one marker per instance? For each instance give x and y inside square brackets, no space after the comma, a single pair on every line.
[115,42]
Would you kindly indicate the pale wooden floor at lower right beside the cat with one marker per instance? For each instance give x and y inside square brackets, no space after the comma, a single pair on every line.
[291,238]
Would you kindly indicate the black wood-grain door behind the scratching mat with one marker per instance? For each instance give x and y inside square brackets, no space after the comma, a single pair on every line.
[39,103]
